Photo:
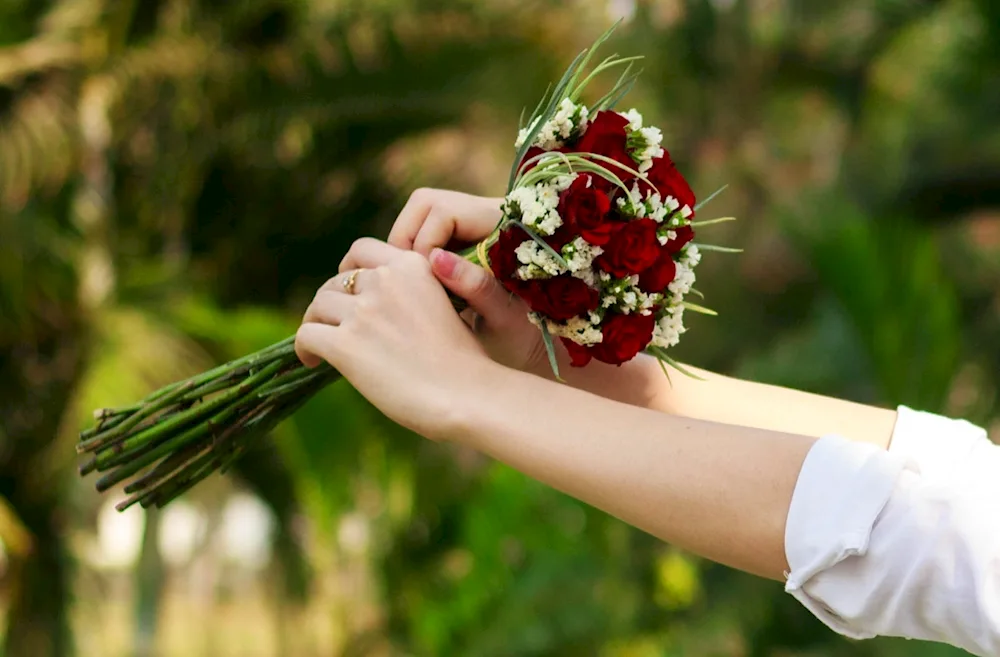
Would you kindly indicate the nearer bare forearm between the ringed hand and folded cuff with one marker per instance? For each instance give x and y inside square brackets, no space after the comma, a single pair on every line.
[720,491]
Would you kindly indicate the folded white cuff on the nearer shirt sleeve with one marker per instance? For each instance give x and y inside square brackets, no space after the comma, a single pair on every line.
[841,490]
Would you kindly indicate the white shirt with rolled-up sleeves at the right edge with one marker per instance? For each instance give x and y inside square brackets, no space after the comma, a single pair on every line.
[902,543]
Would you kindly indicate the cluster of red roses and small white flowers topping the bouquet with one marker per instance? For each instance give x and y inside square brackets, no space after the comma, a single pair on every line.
[597,228]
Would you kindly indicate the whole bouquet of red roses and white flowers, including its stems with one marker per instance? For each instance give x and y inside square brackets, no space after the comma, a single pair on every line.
[596,237]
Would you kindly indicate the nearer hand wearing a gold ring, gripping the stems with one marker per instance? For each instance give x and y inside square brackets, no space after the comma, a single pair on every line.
[396,337]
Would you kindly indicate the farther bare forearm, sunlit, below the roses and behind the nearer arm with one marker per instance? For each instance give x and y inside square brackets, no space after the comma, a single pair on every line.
[641,382]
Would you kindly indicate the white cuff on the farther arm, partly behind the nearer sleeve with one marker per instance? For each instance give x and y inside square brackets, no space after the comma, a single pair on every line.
[936,445]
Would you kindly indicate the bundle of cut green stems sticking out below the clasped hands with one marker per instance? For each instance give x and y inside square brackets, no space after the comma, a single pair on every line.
[185,431]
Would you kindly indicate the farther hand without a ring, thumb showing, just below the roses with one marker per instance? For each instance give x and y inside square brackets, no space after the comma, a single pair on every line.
[436,218]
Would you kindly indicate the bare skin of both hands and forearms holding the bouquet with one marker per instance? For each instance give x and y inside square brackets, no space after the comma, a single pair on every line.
[706,465]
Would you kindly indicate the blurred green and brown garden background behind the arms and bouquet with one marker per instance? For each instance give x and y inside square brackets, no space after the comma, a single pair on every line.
[178,176]
